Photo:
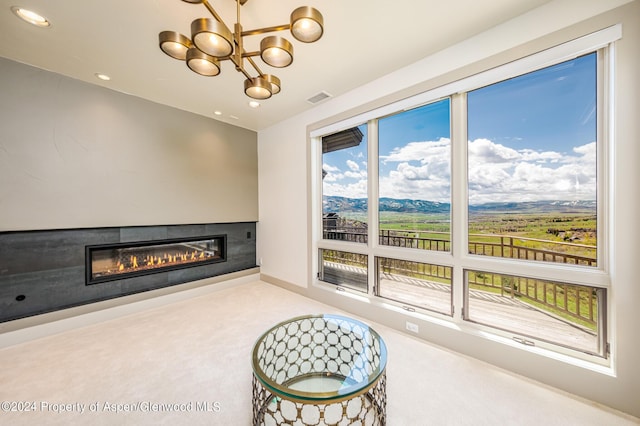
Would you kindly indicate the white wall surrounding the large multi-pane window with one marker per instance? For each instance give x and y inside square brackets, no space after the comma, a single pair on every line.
[284,239]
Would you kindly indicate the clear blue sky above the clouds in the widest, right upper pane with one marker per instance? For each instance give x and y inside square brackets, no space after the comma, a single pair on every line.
[549,109]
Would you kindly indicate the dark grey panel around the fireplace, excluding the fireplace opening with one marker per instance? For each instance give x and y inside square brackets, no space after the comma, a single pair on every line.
[44,271]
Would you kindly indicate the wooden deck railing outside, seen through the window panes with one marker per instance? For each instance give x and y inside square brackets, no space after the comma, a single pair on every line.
[574,301]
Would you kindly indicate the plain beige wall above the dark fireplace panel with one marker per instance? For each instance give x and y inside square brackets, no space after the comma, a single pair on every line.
[75,155]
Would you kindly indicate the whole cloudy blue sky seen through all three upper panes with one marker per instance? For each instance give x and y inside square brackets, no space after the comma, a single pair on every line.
[530,138]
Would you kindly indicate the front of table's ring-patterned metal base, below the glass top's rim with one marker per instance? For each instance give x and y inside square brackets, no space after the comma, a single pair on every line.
[367,409]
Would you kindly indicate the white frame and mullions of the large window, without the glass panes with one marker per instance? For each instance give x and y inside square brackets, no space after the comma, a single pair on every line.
[459,258]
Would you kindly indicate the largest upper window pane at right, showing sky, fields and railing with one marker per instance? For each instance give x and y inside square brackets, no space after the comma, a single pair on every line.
[532,165]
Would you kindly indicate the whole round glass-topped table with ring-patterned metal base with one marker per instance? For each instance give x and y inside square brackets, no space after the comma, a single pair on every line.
[319,370]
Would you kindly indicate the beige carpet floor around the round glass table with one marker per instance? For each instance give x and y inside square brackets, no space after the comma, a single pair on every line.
[197,352]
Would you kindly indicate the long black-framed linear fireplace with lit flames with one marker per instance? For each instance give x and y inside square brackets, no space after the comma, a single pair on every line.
[110,262]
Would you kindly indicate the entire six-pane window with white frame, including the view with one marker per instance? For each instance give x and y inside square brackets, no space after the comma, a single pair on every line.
[482,202]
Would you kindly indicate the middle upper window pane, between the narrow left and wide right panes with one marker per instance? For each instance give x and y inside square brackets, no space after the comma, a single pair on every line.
[414,174]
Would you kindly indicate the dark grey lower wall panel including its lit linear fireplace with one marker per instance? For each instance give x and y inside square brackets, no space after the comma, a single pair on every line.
[47,270]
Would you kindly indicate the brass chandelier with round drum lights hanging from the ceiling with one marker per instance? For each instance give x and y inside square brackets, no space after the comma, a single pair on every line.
[212,41]
